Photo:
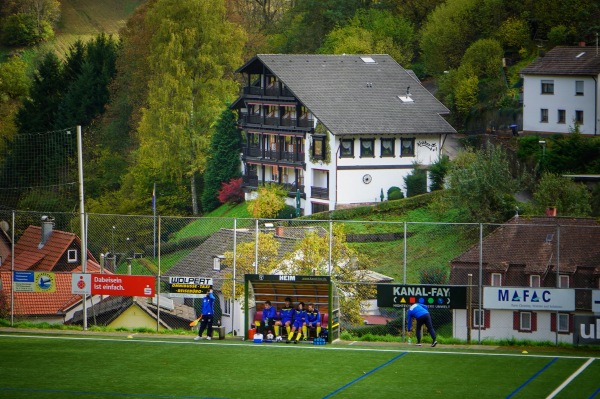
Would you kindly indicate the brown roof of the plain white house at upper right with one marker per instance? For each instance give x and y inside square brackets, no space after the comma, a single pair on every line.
[563,60]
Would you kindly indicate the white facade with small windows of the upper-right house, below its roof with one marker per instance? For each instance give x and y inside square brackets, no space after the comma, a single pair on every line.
[552,104]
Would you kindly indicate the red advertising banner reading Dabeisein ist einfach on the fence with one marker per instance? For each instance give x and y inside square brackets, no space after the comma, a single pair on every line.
[112,284]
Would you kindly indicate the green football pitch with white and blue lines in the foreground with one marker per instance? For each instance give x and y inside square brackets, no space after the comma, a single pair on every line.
[91,366]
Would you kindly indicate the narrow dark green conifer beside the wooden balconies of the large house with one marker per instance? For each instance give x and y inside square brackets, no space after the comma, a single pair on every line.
[223,163]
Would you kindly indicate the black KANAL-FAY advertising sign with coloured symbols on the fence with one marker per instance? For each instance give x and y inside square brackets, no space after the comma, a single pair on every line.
[434,296]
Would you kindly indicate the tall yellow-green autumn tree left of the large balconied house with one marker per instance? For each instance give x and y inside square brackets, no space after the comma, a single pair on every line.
[191,66]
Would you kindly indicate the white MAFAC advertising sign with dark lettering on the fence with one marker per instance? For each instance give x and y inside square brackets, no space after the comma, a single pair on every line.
[559,299]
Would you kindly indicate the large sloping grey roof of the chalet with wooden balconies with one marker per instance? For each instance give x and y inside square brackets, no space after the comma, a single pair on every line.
[350,96]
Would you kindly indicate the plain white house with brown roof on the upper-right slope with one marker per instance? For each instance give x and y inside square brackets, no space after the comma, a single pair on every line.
[560,90]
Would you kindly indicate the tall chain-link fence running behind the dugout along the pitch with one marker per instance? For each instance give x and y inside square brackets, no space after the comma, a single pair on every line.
[528,279]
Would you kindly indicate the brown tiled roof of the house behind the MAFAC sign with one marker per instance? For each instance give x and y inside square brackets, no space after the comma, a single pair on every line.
[532,242]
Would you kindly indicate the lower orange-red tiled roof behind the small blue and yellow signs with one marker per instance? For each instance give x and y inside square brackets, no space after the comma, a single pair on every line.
[39,303]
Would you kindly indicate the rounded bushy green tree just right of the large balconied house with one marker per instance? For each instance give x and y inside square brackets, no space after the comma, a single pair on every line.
[482,187]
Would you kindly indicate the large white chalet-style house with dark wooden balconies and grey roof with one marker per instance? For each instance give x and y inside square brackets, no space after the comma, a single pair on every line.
[341,129]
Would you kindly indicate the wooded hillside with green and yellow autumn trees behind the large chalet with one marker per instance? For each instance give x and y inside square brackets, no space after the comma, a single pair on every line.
[150,98]
